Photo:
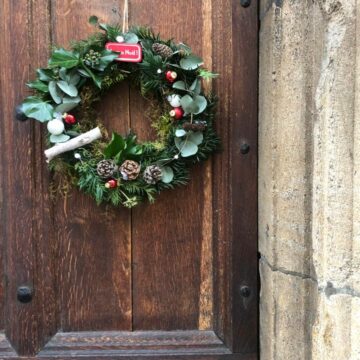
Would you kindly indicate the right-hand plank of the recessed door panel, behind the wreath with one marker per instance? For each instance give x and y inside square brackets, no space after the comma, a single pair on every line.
[168,237]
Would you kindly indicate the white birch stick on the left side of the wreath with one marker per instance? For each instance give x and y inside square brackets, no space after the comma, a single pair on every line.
[81,140]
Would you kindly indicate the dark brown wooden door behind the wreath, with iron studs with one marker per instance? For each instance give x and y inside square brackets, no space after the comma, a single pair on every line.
[177,279]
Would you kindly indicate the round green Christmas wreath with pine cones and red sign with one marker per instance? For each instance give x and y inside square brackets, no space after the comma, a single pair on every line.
[118,169]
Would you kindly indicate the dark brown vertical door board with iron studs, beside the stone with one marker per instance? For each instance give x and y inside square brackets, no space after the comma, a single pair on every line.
[235,216]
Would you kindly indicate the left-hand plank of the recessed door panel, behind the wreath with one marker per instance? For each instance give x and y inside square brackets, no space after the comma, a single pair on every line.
[94,253]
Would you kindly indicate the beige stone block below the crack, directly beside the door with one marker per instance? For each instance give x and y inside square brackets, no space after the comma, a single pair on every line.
[286,315]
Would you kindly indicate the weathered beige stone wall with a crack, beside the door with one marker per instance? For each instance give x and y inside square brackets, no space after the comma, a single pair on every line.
[309,179]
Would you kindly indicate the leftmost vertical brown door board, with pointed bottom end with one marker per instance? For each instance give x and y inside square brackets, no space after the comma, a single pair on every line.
[26,207]
